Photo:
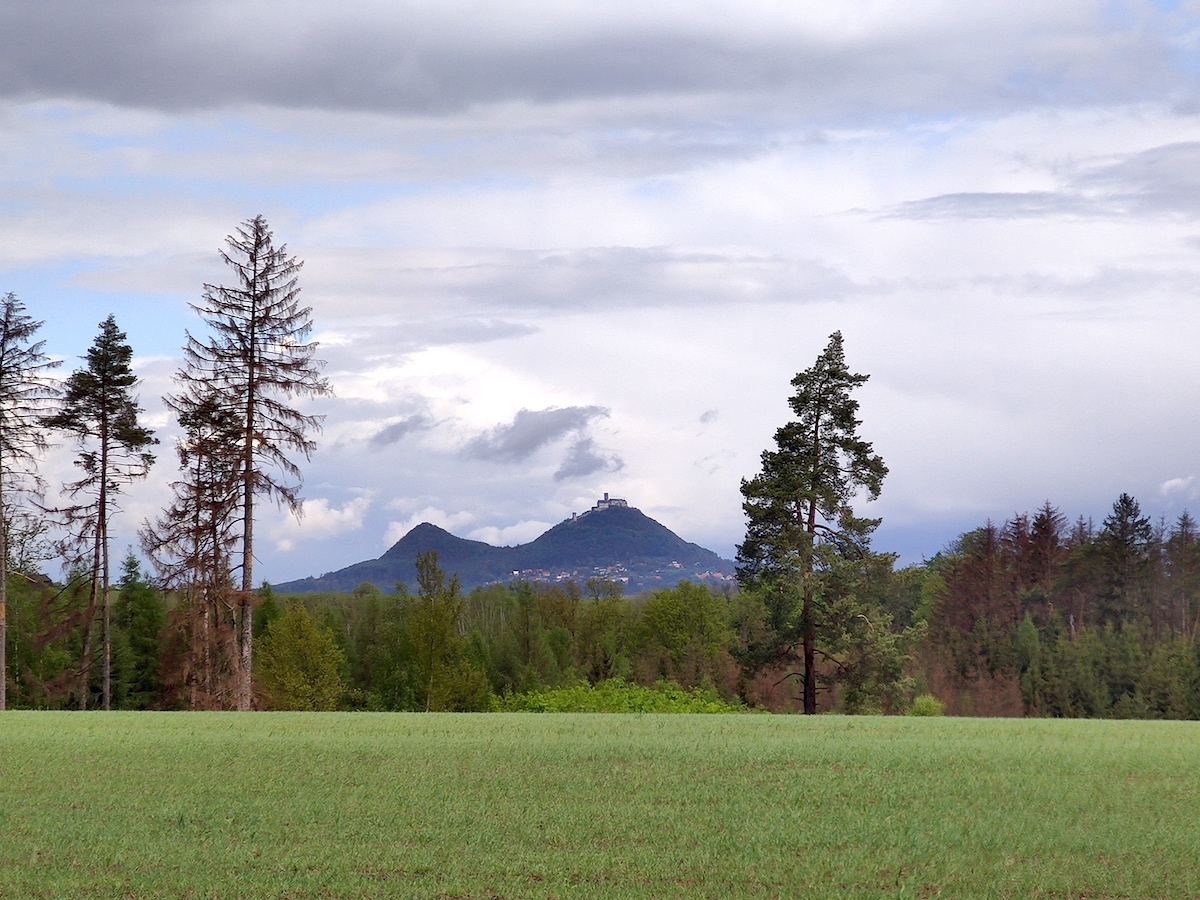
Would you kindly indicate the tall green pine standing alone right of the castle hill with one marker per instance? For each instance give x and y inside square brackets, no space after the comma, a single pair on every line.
[799,508]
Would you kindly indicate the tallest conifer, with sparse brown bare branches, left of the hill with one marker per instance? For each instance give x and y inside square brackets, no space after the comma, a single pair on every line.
[255,362]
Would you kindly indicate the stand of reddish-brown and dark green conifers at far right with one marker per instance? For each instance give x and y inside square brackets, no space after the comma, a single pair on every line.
[1087,622]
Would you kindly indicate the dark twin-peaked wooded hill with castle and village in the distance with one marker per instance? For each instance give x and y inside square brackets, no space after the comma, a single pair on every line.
[619,543]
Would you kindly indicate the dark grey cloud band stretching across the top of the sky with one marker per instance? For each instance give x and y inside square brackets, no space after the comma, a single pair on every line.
[433,59]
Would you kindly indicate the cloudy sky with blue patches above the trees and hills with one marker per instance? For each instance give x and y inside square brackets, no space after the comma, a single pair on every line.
[561,249]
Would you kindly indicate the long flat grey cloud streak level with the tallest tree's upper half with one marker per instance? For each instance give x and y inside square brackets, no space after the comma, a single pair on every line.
[470,289]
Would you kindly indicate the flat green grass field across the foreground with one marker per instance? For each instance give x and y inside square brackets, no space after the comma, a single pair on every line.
[526,806]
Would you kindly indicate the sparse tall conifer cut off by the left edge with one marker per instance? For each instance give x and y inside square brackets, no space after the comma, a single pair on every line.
[26,392]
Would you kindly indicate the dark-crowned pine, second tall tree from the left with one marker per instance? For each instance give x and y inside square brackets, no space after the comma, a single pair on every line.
[101,413]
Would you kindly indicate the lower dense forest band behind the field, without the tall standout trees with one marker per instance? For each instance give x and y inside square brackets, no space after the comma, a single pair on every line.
[1037,616]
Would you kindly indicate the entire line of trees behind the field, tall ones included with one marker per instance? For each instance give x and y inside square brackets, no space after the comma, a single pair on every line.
[1034,617]
